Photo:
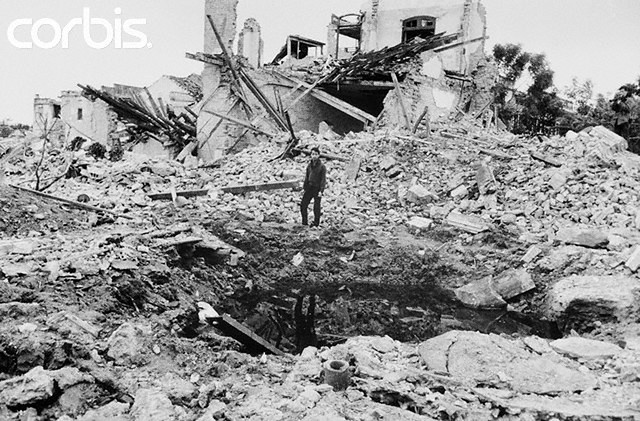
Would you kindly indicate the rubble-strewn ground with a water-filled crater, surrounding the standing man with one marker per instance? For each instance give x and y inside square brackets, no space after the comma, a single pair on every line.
[465,275]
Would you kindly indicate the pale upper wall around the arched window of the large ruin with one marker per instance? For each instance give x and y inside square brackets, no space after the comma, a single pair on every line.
[382,26]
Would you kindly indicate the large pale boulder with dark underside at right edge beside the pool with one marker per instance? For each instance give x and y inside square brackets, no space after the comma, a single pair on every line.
[580,301]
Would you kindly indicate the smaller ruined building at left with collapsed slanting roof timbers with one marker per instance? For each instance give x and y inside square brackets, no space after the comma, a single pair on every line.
[103,116]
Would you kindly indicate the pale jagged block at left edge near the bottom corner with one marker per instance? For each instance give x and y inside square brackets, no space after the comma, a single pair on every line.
[35,386]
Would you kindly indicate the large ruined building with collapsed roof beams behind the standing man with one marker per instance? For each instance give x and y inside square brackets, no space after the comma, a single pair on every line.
[414,62]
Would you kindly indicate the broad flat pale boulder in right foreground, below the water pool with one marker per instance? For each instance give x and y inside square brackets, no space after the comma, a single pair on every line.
[478,359]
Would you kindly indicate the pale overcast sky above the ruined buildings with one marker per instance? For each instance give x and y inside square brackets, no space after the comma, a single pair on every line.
[590,39]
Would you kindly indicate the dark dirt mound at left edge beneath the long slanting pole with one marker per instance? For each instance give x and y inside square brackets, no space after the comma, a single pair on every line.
[22,213]
